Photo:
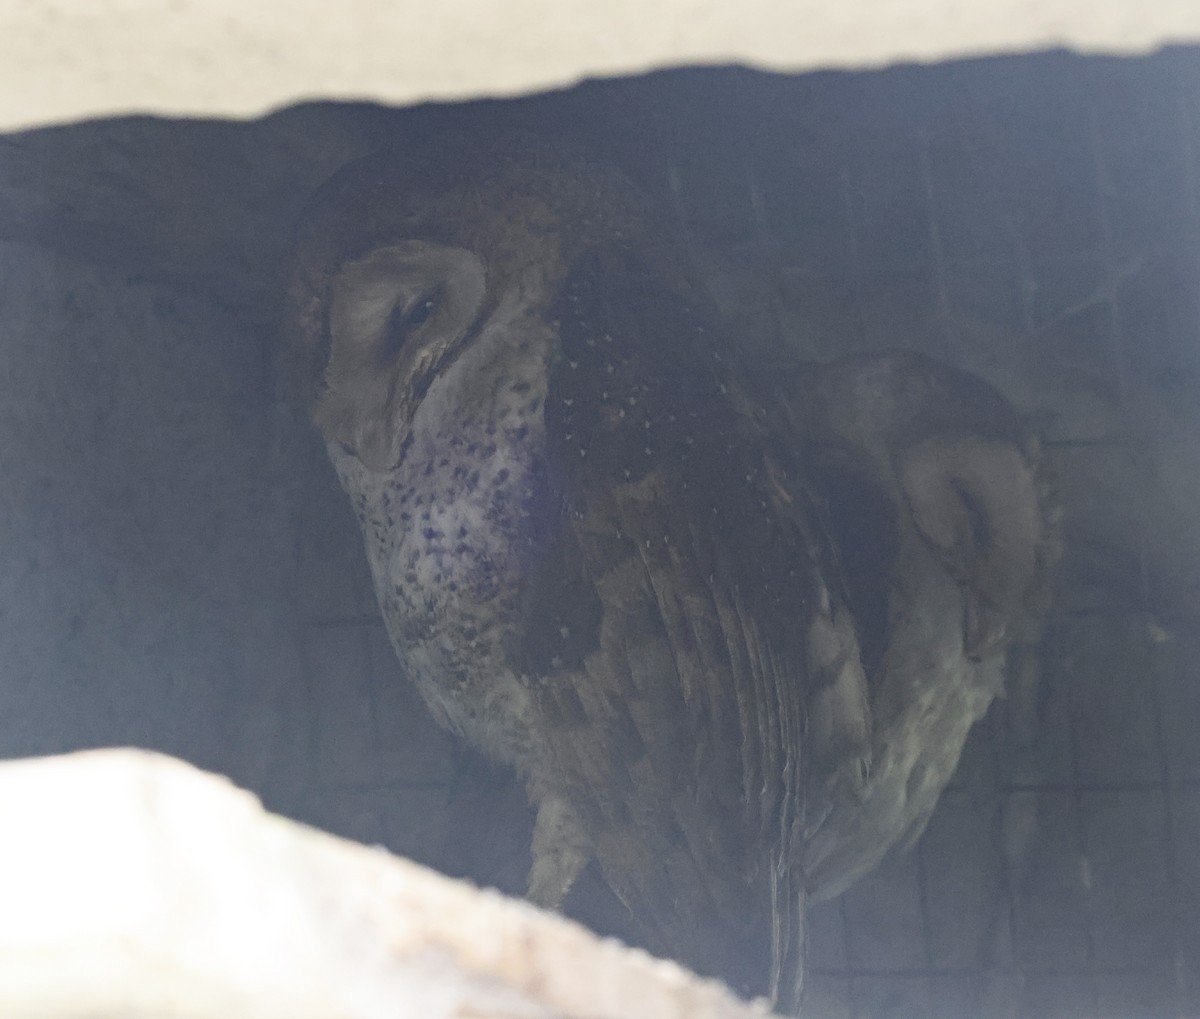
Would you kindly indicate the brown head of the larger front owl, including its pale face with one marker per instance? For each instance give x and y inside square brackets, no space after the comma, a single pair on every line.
[404,259]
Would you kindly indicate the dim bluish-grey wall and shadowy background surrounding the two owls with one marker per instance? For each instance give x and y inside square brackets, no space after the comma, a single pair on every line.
[181,572]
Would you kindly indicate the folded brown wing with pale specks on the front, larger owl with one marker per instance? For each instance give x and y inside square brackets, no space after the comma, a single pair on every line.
[683,639]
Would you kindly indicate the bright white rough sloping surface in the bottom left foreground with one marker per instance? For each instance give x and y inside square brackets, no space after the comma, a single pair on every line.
[133,884]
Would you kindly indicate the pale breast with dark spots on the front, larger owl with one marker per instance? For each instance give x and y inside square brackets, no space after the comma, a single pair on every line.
[455,529]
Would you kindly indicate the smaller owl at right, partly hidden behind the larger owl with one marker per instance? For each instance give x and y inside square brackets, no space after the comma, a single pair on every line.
[947,534]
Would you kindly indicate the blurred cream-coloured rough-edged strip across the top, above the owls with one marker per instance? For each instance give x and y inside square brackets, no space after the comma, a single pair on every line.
[63,61]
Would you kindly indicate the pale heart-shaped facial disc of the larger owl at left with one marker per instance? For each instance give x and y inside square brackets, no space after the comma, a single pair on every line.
[395,316]
